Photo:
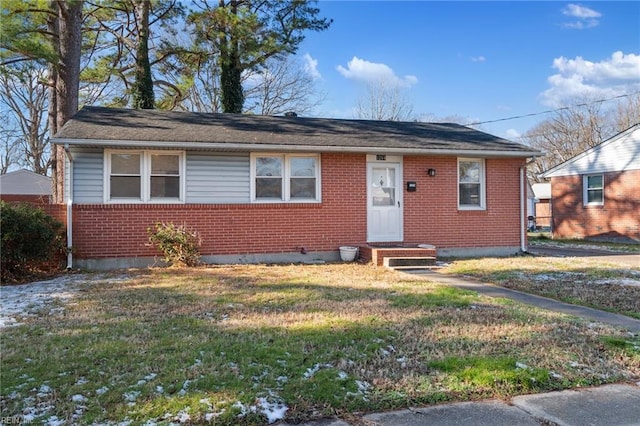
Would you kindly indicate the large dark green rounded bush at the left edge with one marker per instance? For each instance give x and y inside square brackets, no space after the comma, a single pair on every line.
[31,240]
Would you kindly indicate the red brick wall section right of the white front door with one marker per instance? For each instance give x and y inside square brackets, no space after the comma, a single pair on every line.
[432,215]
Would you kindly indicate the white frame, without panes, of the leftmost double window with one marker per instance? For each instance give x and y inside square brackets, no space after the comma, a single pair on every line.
[145,177]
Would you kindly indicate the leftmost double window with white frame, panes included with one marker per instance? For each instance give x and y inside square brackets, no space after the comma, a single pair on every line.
[144,176]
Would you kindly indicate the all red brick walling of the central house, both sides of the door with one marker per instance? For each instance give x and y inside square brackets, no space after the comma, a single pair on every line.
[431,215]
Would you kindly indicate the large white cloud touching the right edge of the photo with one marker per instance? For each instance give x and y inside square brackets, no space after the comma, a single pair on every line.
[578,78]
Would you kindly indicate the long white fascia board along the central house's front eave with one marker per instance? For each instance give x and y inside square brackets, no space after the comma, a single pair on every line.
[222,146]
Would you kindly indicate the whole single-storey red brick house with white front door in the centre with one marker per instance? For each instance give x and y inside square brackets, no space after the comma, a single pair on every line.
[287,189]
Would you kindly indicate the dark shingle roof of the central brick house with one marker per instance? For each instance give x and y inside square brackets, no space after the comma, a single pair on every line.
[126,127]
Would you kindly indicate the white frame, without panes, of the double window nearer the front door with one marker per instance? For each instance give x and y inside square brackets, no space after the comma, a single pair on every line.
[286,178]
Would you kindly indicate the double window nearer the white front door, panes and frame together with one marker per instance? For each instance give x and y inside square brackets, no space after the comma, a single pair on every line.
[285,177]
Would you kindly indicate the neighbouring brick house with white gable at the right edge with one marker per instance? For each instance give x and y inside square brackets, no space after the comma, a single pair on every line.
[597,193]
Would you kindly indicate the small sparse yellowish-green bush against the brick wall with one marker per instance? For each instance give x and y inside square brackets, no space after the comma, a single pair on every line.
[179,245]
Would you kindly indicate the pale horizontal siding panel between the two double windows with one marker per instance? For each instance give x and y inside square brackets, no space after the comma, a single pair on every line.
[220,178]
